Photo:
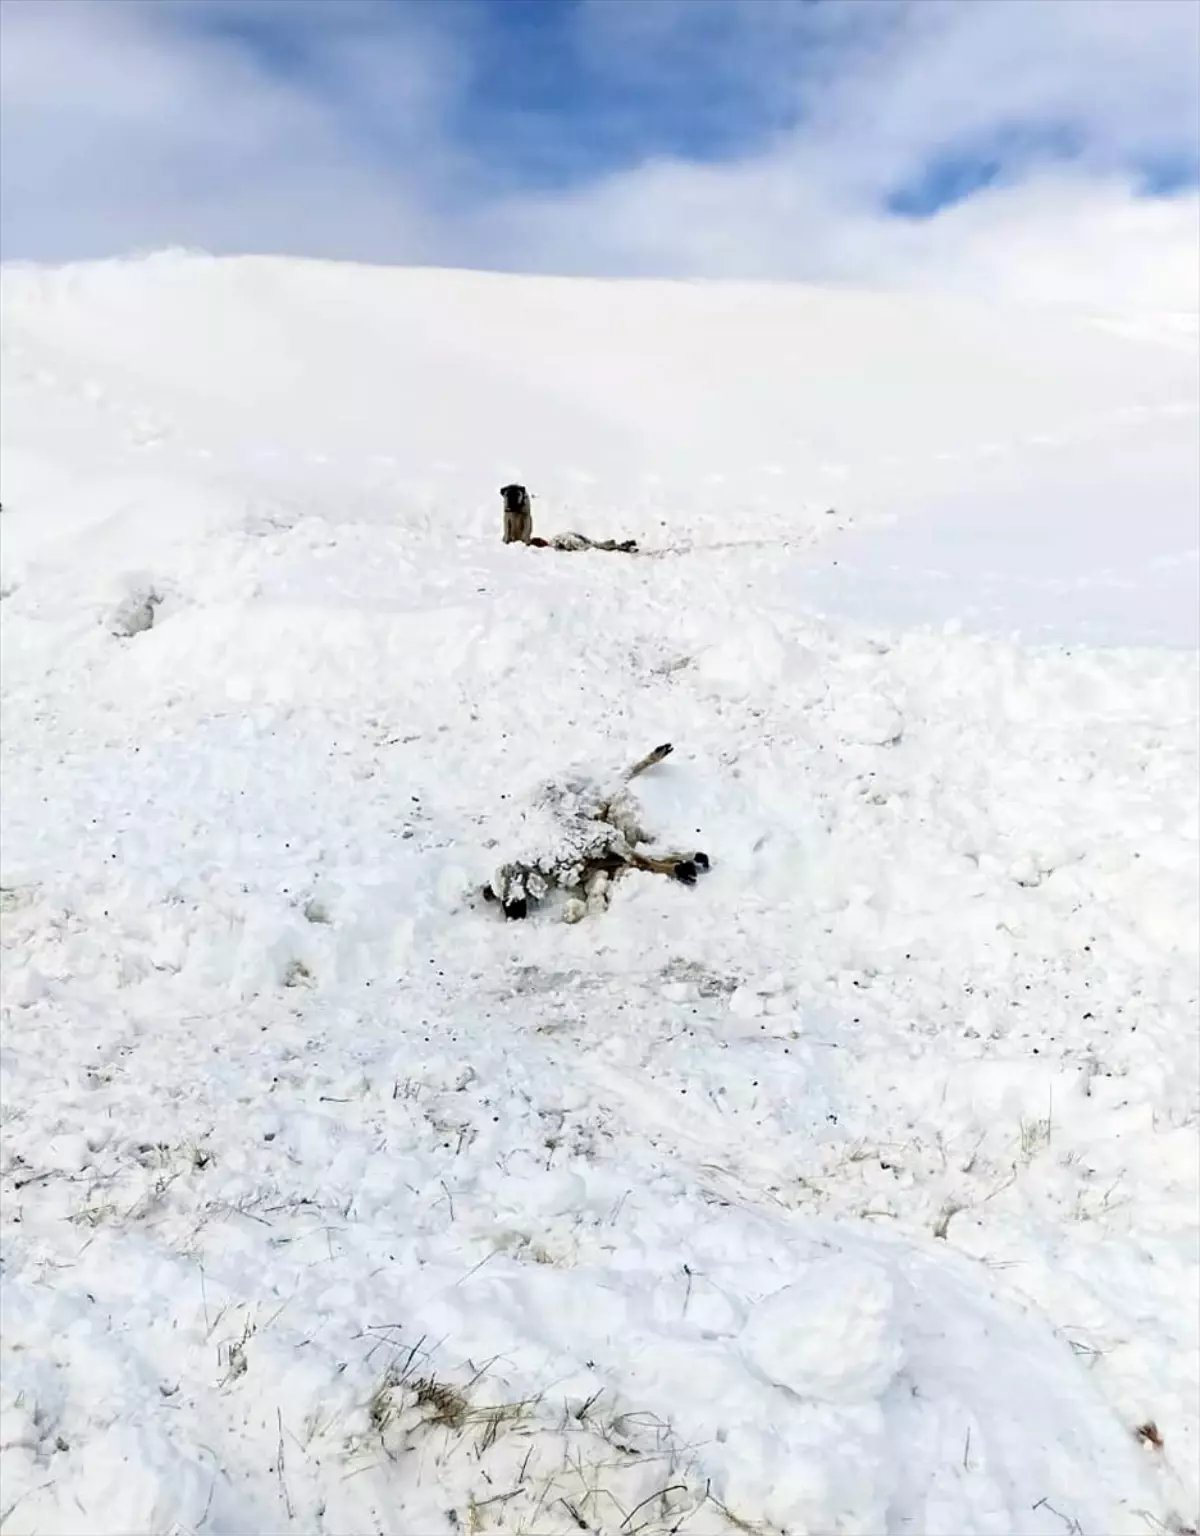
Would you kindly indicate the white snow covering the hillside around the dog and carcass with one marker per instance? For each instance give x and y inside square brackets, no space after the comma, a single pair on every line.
[854,1190]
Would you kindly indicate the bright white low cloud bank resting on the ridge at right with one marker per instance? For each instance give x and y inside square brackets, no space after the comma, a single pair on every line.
[1055,239]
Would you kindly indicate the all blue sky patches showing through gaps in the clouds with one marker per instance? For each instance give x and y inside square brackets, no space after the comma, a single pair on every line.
[542,105]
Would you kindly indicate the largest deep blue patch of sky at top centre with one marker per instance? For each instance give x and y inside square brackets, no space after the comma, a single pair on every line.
[539,105]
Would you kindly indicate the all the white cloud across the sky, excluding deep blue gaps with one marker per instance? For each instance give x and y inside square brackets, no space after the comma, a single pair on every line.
[138,125]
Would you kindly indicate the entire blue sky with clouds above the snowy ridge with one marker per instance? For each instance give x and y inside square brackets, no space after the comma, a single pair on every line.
[663,137]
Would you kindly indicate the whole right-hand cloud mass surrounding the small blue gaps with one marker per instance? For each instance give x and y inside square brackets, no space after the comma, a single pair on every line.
[889,96]
